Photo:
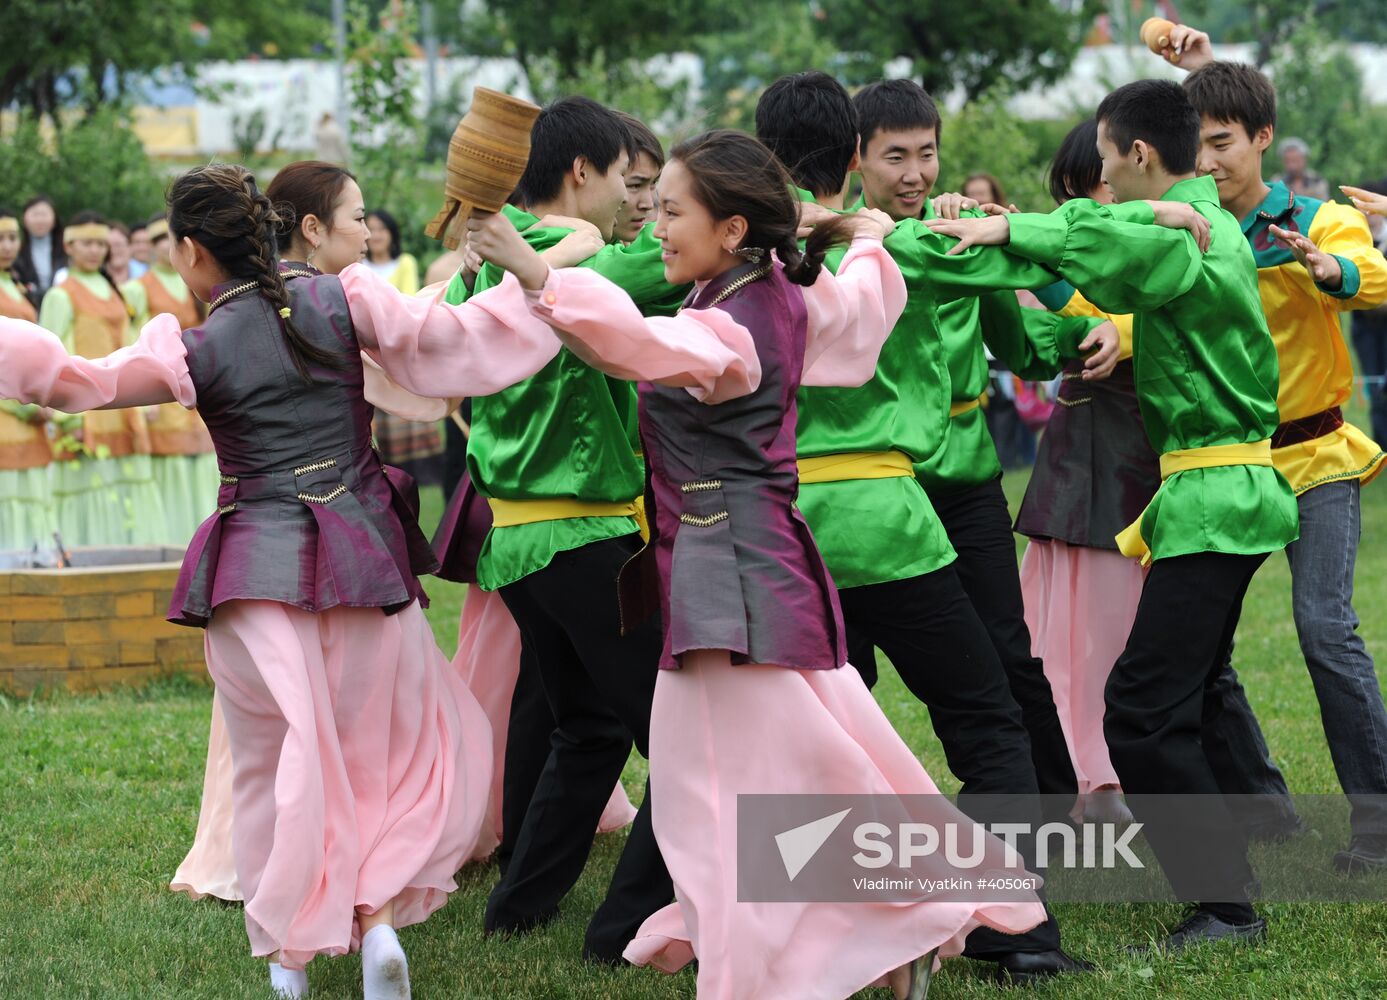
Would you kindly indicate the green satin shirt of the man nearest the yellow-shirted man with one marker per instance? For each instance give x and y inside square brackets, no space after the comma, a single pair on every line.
[1205,361]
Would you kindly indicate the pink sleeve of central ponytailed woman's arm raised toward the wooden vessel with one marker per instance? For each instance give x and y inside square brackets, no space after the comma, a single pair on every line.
[705,352]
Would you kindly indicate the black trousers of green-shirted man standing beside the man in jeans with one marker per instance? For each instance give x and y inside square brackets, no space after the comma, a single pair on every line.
[1155,719]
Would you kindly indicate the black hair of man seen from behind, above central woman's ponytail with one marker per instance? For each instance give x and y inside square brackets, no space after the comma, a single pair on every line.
[809,123]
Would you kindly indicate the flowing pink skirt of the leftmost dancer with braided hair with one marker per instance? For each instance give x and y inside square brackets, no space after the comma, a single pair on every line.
[363,768]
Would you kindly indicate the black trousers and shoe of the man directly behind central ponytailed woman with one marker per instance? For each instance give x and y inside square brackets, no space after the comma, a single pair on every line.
[940,647]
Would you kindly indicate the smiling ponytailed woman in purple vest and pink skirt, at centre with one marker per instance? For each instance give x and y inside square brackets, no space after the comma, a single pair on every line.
[754,698]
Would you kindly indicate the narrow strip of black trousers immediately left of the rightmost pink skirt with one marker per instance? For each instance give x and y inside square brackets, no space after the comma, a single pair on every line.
[980,529]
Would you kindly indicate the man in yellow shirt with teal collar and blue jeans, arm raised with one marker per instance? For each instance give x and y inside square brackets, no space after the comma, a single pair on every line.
[1316,260]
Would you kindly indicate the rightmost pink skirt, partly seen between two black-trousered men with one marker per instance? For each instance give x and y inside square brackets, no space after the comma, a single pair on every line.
[1081,604]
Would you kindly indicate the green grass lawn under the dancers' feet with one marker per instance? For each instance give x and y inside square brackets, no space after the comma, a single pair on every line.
[99,802]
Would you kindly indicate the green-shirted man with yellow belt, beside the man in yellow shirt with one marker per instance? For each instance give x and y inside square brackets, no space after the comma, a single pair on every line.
[1207,379]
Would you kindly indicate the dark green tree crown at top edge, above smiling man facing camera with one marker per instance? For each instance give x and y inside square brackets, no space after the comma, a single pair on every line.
[976,45]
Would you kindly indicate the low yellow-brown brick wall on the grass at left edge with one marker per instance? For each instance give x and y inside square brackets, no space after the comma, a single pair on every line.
[92,629]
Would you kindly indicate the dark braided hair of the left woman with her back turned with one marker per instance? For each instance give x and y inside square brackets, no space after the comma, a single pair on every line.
[221,209]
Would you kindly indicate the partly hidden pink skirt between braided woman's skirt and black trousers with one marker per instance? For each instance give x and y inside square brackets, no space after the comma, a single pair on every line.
[489,664]
